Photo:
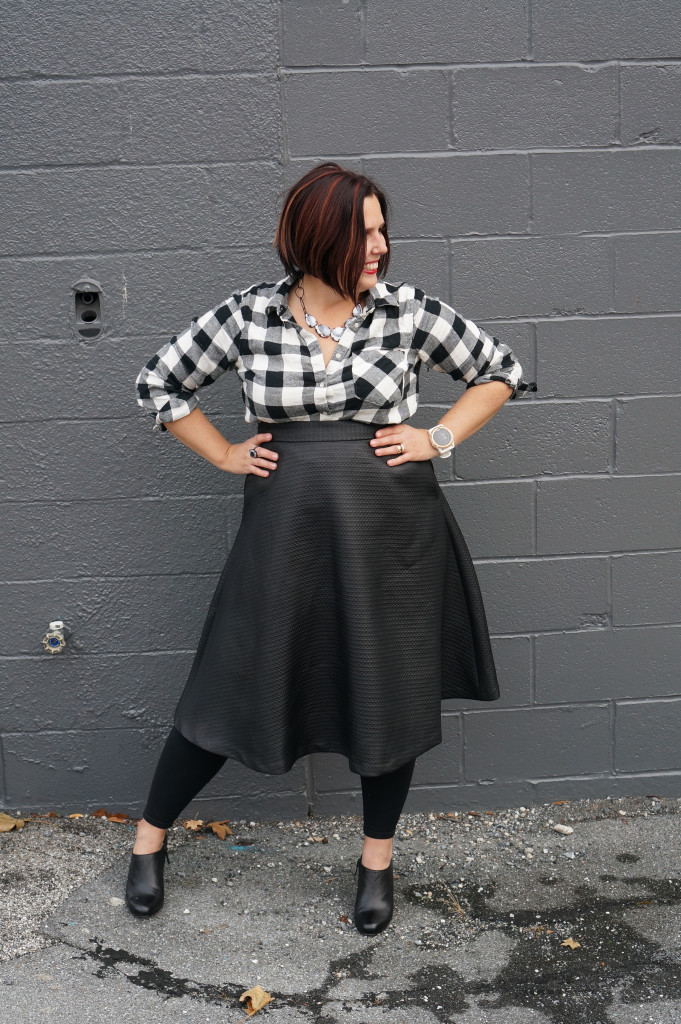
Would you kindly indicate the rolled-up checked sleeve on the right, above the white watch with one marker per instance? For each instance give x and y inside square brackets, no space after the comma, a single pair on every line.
[449,344]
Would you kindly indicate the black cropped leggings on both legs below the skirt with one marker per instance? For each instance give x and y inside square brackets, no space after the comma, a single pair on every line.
[184,771]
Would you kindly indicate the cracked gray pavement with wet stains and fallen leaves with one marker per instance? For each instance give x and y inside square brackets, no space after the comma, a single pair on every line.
[485,904]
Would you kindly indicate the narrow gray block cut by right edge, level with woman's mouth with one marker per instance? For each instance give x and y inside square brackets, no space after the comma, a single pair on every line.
[648,273]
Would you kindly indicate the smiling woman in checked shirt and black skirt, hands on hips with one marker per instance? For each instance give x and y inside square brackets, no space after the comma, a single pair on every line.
[349,608]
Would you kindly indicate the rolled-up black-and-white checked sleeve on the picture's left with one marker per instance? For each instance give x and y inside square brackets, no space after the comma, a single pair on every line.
[167,385]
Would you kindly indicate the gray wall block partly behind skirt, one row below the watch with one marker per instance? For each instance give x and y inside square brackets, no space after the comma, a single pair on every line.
[497,520]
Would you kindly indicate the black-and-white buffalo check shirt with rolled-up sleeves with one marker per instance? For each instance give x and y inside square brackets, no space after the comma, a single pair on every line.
[373,375]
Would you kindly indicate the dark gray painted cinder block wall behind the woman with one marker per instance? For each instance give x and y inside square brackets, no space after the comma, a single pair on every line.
[533,154]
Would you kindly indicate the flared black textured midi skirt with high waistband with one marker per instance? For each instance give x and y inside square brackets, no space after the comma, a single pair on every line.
[348,610]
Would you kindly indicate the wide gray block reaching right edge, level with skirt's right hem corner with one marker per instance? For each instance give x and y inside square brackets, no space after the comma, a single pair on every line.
[603,665]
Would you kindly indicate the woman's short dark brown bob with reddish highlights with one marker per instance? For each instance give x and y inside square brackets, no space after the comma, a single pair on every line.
[321,229]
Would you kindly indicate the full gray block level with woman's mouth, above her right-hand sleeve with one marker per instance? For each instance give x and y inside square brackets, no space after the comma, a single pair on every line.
[505,278]
